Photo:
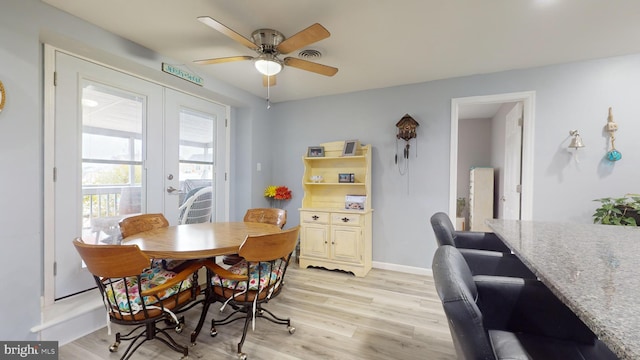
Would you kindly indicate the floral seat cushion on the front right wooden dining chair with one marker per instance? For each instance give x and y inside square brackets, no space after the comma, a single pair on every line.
[260,274]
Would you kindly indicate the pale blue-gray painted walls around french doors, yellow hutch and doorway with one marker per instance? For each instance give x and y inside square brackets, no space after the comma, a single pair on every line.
[570,96]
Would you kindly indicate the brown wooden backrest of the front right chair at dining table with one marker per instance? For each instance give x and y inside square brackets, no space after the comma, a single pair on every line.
[269,247]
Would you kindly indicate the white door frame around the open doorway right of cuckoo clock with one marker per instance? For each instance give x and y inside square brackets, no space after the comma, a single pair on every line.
[528,101]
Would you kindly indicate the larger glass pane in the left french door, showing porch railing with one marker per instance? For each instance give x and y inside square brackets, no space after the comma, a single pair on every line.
[112,127]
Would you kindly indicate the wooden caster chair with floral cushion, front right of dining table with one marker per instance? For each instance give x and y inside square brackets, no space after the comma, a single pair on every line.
[251,283]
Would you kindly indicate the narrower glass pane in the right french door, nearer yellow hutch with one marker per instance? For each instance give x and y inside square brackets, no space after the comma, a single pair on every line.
[196,165]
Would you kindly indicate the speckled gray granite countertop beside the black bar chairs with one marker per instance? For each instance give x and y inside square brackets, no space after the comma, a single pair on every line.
[593,269]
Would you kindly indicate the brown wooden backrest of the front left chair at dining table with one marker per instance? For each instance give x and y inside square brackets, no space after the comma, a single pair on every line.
[112,261]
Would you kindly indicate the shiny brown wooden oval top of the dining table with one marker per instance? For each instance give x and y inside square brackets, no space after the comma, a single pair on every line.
[197,241]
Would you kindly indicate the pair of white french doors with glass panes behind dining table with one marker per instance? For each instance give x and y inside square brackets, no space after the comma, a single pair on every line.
[124,145]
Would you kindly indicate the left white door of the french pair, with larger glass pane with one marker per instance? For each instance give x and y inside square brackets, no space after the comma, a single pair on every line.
[104,120]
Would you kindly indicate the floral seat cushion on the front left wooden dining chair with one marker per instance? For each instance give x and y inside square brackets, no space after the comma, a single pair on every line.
[150,278]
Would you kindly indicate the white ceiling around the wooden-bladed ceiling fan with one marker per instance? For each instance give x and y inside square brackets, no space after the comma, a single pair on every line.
[375,44]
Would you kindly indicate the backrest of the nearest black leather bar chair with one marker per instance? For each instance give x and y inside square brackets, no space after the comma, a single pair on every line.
[458,293]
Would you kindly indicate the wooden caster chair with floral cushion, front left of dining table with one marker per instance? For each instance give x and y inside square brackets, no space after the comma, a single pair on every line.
[135,294]
